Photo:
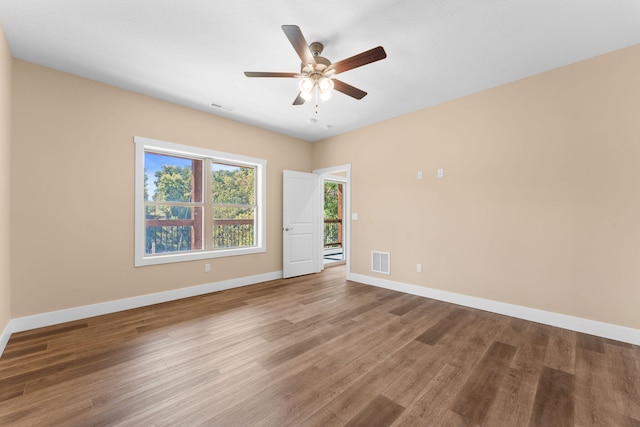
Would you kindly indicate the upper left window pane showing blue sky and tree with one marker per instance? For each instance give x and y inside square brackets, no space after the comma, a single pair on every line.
[170,178]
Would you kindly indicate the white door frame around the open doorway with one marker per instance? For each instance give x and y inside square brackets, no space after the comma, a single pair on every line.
[323,174]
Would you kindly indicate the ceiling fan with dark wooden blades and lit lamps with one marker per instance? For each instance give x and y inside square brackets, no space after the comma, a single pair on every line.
[316,72]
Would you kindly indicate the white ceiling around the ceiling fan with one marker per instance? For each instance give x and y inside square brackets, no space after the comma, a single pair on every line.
[194,52]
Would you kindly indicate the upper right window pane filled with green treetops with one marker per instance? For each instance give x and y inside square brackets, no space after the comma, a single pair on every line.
[232,184]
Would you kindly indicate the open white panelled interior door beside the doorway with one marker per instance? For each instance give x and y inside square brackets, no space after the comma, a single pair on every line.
[300,219]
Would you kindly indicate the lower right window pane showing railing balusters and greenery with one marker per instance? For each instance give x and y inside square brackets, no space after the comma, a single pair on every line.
[233,227]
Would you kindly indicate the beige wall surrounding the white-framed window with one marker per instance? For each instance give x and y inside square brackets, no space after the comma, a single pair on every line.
[73,170]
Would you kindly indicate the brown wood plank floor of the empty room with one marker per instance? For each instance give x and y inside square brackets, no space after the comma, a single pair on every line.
[315,351]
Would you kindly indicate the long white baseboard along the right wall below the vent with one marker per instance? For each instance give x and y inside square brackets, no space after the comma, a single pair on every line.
[592,327]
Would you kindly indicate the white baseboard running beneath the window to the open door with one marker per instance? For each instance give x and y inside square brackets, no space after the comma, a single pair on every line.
[55,317]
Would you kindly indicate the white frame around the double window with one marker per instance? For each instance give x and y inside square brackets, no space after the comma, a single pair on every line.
[143,144]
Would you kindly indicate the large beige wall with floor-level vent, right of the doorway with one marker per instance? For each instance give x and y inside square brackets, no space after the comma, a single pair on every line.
[540,203]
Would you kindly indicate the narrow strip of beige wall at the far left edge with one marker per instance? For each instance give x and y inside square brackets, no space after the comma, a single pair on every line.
[5,184]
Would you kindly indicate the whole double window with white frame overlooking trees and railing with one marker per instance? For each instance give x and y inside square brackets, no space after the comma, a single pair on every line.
[192,203]
